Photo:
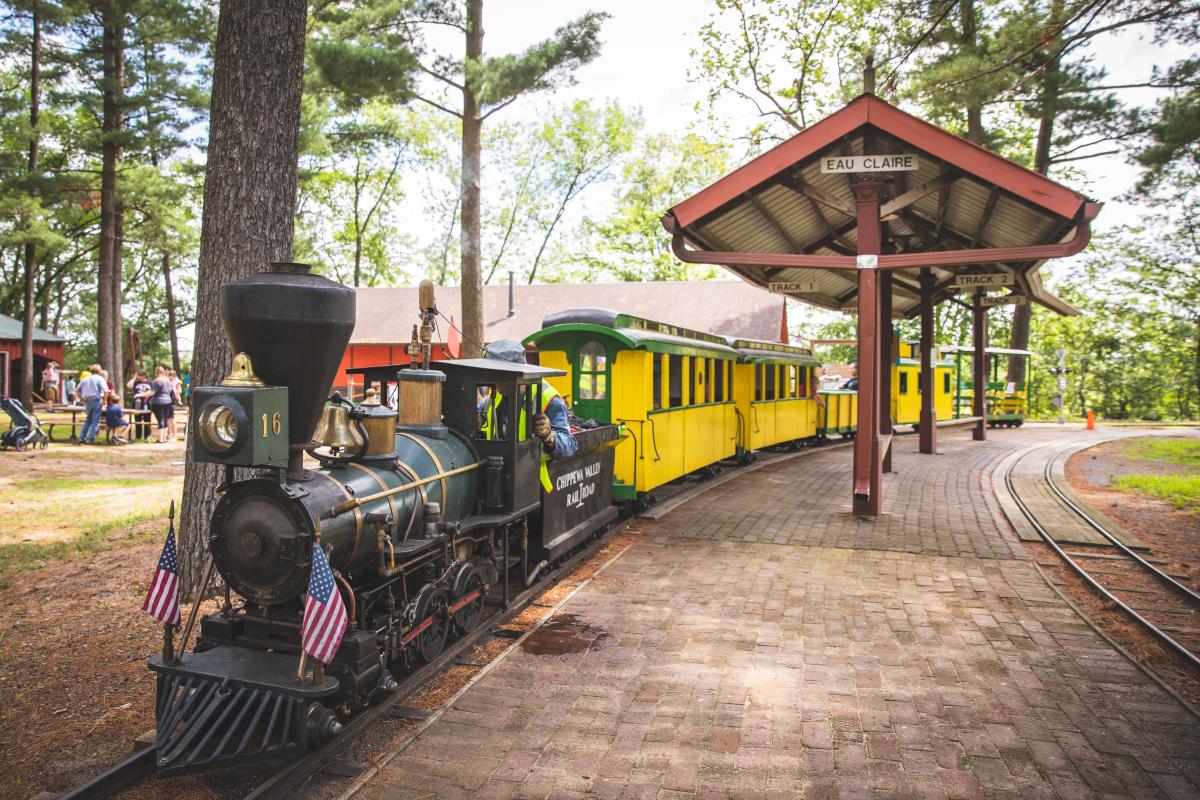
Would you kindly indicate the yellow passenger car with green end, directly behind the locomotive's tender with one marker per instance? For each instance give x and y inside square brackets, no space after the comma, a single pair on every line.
[670,387]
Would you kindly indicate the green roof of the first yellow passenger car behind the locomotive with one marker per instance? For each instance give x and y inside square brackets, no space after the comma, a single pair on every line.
[633,333]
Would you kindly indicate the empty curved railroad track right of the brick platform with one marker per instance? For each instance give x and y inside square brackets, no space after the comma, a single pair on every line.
[1171,612]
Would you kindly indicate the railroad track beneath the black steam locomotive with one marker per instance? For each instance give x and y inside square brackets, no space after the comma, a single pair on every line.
[140,767]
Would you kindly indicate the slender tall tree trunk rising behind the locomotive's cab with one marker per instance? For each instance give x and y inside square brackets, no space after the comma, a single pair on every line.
[472,155]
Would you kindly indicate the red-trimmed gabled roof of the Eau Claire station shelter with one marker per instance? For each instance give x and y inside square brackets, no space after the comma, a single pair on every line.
[962,197]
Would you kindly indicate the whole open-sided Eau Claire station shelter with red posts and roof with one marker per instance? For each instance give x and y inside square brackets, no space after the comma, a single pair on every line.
[878,213]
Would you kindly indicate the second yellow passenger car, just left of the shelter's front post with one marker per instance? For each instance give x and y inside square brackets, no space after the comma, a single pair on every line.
[775,389]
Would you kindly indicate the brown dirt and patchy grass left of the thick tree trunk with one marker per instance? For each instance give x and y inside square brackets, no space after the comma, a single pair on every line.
[74,685]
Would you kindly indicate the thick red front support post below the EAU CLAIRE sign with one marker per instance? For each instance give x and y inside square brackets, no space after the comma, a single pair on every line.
[868,443]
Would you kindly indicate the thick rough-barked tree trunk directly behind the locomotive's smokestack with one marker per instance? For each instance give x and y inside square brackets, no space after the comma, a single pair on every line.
[250,194]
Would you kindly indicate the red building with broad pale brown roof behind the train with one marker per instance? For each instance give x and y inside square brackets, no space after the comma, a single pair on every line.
[386,316]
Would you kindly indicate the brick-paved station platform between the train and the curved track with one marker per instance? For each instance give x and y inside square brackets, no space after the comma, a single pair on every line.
[763,643]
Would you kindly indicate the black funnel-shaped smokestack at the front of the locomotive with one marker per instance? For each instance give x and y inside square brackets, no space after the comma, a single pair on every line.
[295,327]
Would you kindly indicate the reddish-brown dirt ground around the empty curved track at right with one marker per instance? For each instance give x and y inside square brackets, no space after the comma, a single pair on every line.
[1173,538]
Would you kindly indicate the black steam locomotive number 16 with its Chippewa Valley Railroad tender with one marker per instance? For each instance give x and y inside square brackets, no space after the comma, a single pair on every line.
[424,519]
